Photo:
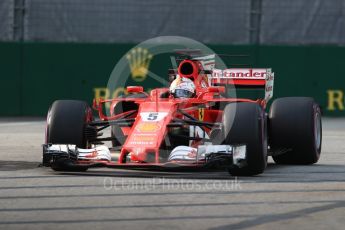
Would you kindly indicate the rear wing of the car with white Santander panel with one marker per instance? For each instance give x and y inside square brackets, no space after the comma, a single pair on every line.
[243,78]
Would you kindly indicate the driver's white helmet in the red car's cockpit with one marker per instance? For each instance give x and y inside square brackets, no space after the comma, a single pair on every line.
[182,87]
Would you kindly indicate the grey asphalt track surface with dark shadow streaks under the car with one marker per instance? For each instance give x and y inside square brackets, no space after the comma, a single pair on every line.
[284,197]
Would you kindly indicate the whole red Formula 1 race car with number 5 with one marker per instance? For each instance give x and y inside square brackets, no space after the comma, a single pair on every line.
[212,130]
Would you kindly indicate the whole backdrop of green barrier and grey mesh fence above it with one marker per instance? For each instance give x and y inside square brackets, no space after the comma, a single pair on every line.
[60,49]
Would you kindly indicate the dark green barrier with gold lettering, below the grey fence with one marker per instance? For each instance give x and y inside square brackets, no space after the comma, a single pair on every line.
[33,75]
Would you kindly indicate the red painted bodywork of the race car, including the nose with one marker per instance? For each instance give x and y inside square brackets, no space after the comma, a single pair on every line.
[145,137]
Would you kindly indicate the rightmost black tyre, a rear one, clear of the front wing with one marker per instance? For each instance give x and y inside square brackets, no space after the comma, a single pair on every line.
[295,130]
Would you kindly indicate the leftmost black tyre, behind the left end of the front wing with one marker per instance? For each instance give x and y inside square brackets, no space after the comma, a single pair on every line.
[66,122]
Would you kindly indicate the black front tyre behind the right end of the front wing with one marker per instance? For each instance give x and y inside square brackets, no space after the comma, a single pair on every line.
[245,123]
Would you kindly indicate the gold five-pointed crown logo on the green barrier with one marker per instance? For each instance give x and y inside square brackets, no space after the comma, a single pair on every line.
[139,61]
